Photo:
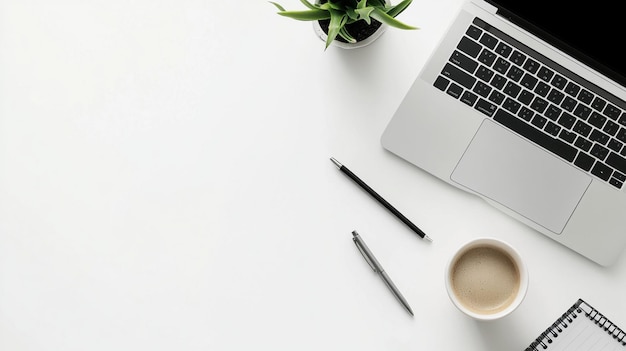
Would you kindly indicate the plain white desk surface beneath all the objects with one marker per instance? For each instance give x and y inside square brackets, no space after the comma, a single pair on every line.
[165,184]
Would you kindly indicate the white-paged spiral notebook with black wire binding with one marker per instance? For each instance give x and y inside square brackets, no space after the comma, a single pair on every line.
[581,327]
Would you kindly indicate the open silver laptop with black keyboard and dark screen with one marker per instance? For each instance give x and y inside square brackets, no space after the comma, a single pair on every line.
[523,104]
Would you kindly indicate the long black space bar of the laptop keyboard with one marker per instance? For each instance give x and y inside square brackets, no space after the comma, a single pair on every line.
[557,146]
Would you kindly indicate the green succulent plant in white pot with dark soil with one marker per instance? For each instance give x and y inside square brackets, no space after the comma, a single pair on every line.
[349,21]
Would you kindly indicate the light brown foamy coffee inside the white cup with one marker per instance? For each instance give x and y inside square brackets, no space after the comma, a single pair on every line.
[485,279]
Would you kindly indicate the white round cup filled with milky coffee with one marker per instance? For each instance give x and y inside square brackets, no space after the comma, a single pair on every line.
[486,279]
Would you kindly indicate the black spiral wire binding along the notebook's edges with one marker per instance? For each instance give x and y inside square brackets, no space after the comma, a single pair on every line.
[580,308]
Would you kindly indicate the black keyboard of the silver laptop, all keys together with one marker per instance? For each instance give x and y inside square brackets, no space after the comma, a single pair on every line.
[539,100]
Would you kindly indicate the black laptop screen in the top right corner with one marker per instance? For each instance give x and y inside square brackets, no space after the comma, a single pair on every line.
[579,28]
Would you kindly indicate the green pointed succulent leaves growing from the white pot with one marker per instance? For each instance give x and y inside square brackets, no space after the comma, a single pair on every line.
[343,12]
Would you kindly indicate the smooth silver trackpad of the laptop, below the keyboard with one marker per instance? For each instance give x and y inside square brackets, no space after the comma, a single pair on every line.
[508,169]
